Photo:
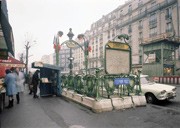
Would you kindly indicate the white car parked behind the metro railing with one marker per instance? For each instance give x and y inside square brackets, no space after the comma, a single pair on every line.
[154,91]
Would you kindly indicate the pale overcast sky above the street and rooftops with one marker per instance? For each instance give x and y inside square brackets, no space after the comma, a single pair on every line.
[40,20]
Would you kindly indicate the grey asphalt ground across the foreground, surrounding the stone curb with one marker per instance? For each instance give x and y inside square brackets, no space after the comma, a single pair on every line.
[57,112]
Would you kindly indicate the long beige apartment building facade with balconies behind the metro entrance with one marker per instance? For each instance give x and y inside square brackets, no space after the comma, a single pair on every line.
[144,21]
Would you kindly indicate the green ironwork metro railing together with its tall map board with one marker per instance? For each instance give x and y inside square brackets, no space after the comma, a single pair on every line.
[117,79]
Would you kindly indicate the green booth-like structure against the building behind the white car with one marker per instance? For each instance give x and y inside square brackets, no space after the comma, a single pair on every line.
[164,51]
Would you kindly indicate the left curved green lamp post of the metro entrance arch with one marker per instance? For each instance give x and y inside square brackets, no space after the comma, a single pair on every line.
[57,46]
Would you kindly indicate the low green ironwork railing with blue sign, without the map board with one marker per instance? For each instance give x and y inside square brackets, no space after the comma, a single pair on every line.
[105,86]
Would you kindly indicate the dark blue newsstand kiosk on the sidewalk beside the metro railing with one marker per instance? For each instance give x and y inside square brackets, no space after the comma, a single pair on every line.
[50,79]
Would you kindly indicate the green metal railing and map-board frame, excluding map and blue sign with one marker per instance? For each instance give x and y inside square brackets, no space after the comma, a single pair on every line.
[102,86]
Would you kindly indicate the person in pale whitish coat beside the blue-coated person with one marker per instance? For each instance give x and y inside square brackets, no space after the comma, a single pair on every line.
[19,83]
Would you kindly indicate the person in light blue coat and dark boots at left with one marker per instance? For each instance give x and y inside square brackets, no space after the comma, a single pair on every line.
[10,84]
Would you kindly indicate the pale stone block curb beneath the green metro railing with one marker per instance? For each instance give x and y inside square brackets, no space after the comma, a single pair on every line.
[104,105]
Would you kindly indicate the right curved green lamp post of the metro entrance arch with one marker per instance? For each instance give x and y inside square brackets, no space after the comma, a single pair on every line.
[86,49]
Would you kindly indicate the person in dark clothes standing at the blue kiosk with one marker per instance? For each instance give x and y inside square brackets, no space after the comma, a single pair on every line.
[35,82]
